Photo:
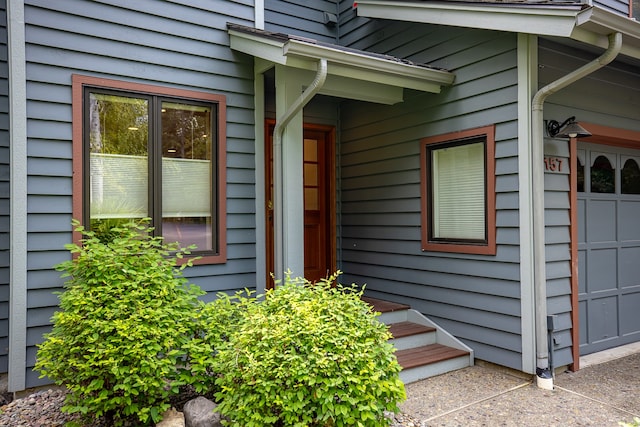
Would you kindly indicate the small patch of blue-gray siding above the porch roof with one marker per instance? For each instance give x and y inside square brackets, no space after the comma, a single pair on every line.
[302,17]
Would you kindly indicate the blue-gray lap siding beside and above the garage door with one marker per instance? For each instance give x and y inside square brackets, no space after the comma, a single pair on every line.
[608,97]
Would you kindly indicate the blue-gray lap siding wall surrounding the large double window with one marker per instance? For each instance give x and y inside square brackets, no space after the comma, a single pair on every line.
[174,44]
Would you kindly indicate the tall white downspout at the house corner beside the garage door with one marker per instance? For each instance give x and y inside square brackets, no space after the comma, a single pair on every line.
[543,374]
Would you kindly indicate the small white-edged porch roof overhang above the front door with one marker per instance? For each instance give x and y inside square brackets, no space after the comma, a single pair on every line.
[352,73]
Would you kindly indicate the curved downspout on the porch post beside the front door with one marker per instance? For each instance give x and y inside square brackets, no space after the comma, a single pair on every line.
[278,132]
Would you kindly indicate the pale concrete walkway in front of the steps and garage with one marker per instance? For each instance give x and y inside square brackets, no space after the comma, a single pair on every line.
[604,392]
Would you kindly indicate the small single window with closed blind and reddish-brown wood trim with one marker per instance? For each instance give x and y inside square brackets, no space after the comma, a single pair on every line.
[458,192]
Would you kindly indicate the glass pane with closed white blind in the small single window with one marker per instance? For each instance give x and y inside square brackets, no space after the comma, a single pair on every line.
[458,192]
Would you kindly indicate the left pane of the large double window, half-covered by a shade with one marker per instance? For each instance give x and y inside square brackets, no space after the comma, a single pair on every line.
[118,160]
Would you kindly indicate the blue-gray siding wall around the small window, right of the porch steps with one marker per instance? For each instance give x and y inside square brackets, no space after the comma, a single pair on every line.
[474,297]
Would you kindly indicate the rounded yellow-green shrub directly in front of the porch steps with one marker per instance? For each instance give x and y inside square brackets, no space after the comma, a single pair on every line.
[308,355]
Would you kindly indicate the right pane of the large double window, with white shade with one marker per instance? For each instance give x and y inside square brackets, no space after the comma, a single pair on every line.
[187,175]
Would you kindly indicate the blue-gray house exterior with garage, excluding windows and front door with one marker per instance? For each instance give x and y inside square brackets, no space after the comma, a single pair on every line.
[559,248]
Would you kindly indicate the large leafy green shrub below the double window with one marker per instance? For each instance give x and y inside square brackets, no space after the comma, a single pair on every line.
[121,342]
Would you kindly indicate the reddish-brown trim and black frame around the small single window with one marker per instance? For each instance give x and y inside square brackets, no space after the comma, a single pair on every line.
[489,247]
